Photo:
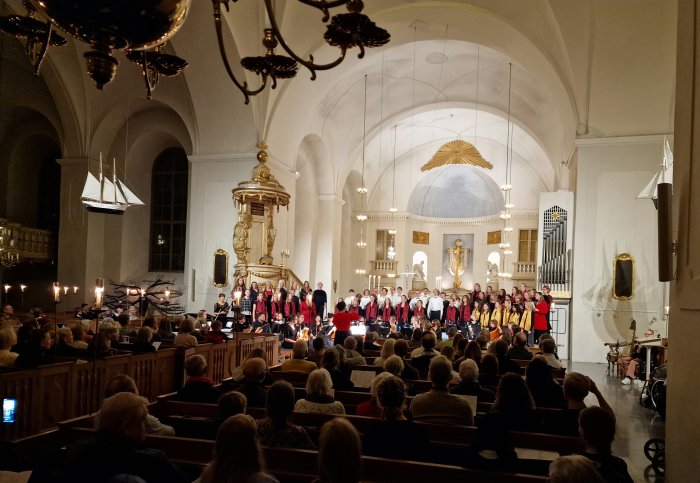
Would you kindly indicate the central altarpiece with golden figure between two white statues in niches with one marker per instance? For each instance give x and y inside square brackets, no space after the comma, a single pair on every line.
[457,262]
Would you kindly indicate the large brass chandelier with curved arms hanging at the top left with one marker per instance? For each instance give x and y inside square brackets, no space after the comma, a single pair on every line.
[140,28]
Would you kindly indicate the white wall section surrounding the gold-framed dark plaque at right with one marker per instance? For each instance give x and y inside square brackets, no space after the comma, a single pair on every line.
[610,220]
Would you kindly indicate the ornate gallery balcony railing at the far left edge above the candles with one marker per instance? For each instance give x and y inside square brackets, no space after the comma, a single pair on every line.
[26,242]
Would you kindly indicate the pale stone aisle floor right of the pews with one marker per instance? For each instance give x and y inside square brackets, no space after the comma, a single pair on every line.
[635,423]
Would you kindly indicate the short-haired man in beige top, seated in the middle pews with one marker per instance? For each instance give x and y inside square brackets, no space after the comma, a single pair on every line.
[438,405]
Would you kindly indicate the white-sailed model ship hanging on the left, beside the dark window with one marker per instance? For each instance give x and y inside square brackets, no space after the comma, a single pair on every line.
[107,196]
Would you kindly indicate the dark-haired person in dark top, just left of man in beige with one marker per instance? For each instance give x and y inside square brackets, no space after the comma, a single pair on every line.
[395,437]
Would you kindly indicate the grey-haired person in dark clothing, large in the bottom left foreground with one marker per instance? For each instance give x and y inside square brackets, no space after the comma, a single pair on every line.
[117,447]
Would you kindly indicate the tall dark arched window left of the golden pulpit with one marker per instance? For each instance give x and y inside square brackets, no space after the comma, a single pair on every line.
[169,211]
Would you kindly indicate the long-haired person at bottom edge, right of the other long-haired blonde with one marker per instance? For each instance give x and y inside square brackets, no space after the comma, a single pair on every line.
[340,453]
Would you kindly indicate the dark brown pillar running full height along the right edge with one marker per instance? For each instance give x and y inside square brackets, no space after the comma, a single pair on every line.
[683,423]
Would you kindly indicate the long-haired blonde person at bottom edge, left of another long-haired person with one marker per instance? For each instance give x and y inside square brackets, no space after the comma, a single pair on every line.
[237,454]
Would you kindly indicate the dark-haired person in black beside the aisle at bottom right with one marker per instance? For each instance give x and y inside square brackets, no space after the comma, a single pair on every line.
[597,428]
